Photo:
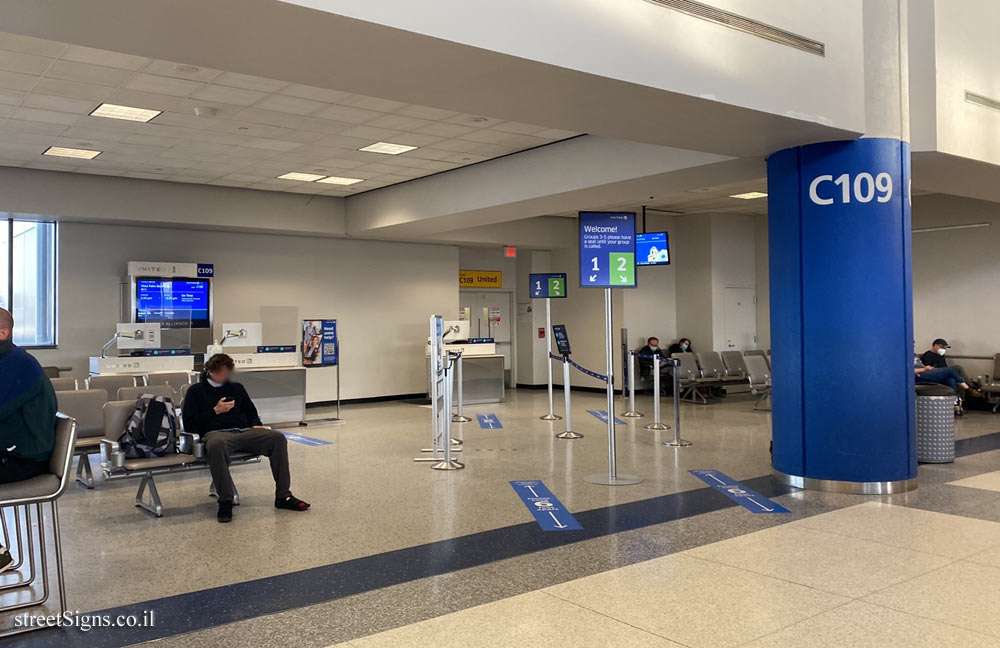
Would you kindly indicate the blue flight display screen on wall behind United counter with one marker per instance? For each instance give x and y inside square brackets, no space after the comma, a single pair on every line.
[174,303]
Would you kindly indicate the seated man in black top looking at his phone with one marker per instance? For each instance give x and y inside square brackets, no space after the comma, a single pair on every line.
[223,414]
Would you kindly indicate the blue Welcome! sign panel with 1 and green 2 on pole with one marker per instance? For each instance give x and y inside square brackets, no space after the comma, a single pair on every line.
[607,249]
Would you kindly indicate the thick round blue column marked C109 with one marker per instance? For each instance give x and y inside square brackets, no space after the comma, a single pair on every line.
[842,314]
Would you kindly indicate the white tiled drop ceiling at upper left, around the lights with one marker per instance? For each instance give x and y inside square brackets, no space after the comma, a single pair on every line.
[262,128]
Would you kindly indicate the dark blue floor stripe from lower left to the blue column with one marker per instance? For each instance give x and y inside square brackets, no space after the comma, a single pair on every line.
[207,608]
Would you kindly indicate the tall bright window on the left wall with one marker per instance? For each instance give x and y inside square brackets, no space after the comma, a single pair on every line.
[28,279]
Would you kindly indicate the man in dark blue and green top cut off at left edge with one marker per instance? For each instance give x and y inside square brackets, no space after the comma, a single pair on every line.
[27,415]
